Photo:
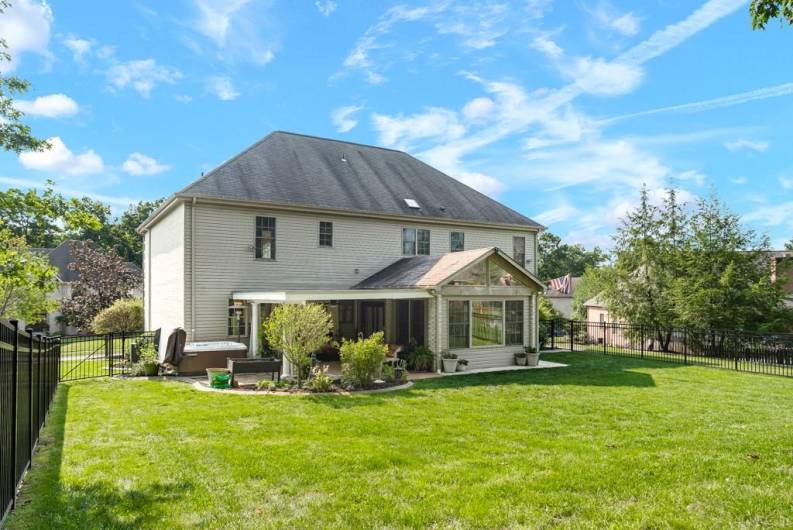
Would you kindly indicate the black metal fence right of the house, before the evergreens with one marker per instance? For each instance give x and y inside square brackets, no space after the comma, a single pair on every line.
[763,353]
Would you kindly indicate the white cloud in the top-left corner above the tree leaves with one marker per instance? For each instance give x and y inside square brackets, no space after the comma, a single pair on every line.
[25,26]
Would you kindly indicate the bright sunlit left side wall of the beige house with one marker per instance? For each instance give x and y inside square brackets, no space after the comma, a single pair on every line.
[164,266]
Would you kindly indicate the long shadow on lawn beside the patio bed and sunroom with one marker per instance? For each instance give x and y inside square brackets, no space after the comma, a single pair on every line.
[583,369]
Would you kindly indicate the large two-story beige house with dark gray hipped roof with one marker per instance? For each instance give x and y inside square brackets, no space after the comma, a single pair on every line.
[384,241]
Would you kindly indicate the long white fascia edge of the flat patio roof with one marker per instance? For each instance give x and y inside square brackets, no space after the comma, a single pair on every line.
[300,296]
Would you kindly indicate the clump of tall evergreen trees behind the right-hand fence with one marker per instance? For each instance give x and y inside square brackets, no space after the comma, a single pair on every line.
[701,269]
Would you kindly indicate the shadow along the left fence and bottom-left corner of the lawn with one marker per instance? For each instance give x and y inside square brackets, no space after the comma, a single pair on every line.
[45,502]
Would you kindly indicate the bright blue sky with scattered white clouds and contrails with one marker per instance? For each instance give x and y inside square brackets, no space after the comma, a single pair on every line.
[560,109]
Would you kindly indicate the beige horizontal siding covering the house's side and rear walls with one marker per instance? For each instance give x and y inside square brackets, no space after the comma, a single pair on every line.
[225,262]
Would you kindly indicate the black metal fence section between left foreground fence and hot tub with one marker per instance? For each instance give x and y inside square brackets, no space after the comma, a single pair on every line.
[91,356]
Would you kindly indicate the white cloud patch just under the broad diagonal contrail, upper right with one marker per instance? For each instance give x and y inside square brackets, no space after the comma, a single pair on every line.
[599,77]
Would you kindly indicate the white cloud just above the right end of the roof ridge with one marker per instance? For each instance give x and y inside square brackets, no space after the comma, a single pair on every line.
[435,123]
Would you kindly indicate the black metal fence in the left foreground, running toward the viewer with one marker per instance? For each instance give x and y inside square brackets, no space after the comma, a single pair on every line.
[28,379]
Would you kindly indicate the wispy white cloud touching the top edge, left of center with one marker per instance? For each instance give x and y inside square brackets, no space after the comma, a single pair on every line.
[238,28]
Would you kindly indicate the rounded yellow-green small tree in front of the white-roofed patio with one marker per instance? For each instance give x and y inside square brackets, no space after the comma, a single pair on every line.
[297,330]
